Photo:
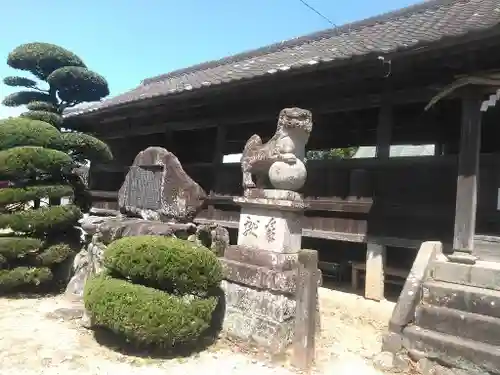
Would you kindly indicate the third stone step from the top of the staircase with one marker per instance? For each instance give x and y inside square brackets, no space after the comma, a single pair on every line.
[476,327]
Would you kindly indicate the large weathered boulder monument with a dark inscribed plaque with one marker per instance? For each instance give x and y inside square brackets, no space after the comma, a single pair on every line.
[158,185]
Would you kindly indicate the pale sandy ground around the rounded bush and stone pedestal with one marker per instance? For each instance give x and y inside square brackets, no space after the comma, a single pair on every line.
[34,342]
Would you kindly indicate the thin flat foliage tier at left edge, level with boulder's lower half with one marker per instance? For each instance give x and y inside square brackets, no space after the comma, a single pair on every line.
[29,193]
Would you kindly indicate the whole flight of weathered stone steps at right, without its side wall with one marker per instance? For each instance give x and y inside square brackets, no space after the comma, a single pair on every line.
[457,321]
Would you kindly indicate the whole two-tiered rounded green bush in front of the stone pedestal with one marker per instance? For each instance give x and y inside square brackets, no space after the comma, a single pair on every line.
[155,291]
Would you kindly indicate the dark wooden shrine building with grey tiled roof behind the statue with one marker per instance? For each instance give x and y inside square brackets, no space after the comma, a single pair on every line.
[366,84]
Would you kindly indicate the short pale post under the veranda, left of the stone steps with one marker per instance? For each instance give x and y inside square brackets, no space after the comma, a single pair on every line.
[375,275]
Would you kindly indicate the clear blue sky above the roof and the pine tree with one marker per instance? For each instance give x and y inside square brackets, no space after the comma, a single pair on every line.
[129,40]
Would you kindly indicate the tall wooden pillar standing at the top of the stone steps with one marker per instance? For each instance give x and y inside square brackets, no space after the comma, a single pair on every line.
[468,171]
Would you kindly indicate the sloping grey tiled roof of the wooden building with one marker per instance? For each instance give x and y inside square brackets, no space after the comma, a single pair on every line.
[411,27]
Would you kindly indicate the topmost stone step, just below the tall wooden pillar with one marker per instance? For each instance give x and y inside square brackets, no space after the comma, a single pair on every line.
[482,274]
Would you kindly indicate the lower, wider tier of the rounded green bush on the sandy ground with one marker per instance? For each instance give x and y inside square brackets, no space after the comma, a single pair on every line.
[145,315]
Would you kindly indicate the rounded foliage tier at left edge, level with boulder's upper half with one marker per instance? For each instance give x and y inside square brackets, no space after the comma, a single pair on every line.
[29,161]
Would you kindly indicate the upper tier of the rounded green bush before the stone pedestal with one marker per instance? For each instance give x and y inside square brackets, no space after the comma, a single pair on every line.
[170,264]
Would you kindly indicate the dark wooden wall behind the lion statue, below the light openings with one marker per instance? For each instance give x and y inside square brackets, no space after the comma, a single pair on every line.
[400,201]
